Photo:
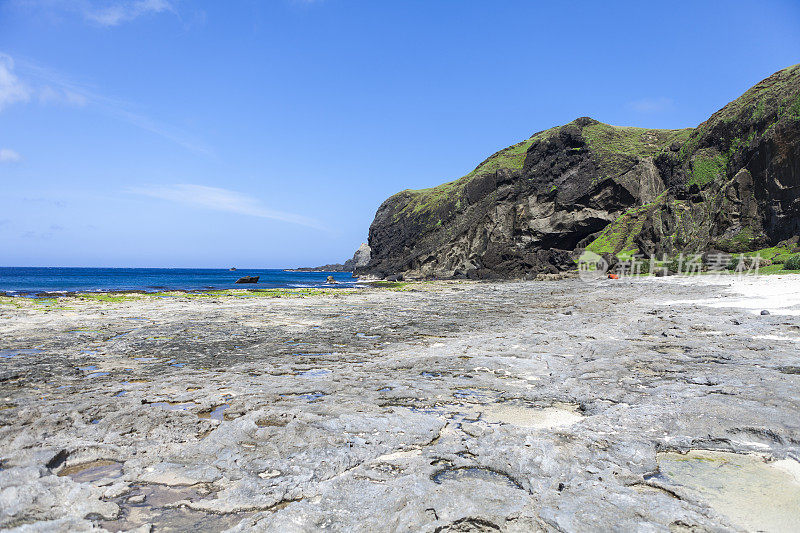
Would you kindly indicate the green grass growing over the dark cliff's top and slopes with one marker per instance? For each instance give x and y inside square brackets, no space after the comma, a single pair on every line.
[704,156]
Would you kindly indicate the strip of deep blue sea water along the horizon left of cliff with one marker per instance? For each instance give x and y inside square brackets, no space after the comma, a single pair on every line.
[29,281]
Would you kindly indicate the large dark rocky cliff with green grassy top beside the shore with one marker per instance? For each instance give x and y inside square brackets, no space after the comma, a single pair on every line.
[732,183]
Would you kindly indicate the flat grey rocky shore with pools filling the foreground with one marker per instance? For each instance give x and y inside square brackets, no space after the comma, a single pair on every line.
[646,404]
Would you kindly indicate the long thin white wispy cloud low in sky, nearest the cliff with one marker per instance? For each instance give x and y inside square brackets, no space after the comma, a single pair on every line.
[221,200]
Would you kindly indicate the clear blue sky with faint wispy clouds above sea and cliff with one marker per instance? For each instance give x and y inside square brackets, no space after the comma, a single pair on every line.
[267,133]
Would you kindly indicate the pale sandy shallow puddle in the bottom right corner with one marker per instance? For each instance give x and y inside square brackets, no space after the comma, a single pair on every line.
[754,494]
